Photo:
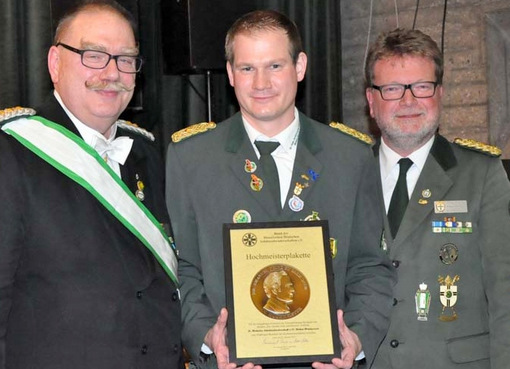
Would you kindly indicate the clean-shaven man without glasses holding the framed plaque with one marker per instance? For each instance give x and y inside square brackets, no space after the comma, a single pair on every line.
[226,173]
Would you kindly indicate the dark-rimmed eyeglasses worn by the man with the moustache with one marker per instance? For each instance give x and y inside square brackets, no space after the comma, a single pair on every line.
[95,59]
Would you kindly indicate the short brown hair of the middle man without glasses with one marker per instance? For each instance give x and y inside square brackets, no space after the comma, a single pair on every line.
[264,20]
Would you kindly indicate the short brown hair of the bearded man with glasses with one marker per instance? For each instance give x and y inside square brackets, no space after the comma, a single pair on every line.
[403,42]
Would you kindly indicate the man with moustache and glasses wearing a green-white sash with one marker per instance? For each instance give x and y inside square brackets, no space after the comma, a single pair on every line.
[87,271]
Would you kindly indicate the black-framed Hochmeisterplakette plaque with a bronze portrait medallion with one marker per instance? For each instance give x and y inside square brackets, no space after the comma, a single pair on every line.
[280,293]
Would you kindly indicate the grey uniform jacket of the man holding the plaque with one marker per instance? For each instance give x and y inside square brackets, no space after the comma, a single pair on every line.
[207,184]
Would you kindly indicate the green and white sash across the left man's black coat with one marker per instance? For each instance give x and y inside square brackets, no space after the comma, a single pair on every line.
[73,157]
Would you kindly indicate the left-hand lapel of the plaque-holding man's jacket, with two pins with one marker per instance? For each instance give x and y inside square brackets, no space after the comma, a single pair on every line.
[238,144]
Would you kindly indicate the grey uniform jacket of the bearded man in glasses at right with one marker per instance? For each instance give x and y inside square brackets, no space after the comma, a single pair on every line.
[480,336]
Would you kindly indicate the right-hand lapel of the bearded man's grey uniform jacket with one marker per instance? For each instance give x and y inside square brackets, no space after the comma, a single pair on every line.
[434,177]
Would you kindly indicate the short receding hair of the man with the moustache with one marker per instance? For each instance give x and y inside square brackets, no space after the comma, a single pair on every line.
[85,5]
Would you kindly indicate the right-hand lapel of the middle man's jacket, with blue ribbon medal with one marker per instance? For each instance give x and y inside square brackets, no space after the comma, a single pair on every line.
[306,164]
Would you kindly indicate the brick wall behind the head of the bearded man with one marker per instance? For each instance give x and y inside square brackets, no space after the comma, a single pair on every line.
[466,110]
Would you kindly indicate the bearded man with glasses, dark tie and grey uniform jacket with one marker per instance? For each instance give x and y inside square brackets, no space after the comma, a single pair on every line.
[447,228]
